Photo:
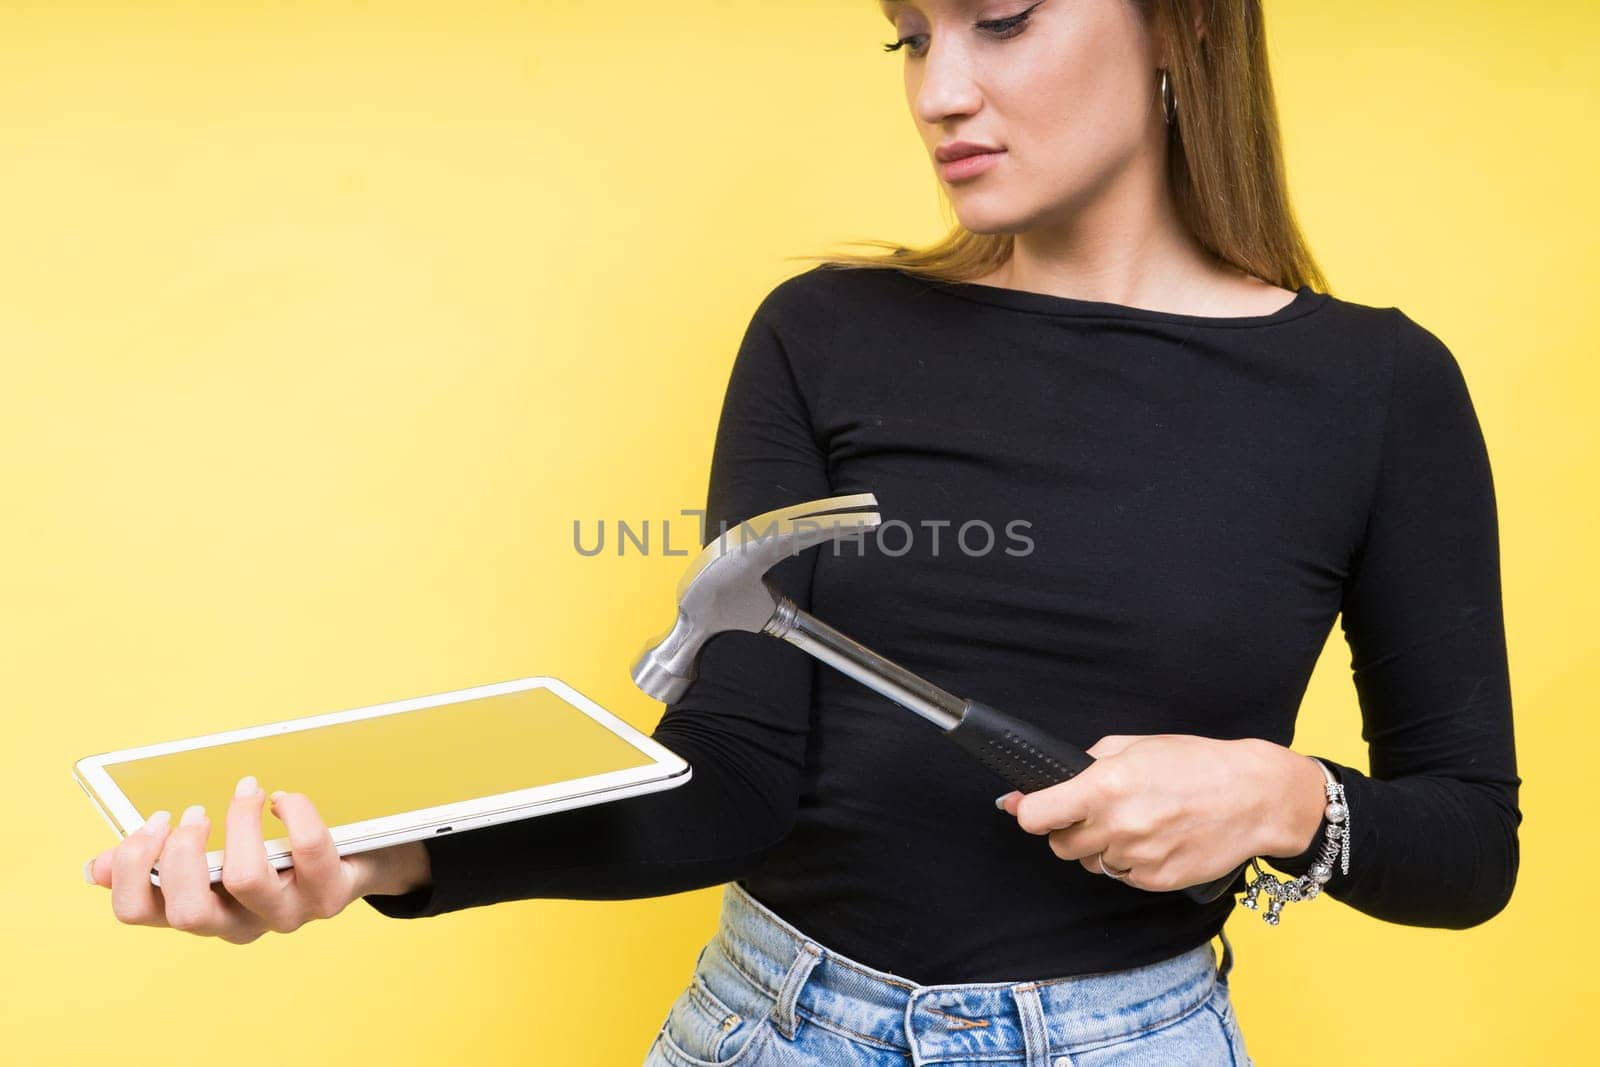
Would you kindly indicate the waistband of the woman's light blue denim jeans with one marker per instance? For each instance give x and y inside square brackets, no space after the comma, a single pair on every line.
[956,1021]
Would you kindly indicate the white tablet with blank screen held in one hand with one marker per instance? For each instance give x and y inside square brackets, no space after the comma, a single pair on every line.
[396,772]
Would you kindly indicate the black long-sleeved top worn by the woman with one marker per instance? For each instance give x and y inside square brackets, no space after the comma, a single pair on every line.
[1177,511]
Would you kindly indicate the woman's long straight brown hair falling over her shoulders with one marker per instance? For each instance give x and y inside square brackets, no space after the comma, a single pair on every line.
[1225,159]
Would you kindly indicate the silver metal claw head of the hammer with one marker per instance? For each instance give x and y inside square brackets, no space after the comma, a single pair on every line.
[726,588]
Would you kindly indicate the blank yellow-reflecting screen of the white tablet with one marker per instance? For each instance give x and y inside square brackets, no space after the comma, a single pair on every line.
[383,765]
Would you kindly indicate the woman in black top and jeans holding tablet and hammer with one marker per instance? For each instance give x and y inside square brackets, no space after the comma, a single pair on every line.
[1138,466]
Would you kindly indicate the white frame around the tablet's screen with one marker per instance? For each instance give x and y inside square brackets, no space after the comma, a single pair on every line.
[665,772]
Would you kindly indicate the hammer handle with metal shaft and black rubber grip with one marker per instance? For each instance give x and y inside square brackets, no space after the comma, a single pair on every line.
[1020,753]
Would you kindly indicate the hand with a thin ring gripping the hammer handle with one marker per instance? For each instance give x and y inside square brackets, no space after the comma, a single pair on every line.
[1177,810]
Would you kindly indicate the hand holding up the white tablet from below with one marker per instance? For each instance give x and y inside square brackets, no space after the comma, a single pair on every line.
[254,897]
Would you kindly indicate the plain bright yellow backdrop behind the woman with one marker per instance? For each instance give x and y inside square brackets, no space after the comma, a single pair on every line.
[322,322]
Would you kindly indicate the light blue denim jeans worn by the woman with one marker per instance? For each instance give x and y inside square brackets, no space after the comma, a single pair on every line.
[764,993]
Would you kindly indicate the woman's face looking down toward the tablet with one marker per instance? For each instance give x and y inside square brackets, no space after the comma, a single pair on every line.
[1066,89]
